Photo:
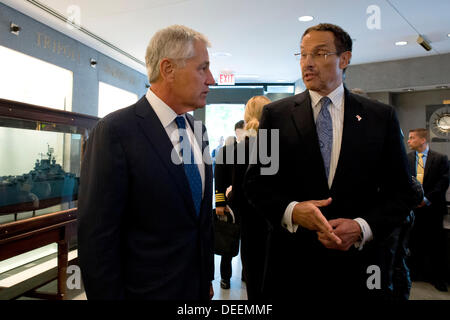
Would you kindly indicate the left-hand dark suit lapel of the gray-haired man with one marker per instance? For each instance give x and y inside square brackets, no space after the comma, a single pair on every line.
[157,136]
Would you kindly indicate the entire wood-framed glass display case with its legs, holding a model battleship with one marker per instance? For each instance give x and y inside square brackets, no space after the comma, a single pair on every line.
[40,160]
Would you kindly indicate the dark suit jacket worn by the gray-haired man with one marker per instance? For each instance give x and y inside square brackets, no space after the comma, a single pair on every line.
[138,234]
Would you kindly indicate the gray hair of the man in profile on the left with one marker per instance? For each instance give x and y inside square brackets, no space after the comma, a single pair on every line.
[175,42]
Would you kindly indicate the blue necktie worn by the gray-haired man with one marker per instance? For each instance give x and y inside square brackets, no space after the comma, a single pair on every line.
[190,168]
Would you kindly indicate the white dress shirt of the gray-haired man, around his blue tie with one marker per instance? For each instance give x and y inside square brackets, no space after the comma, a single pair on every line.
[167,117]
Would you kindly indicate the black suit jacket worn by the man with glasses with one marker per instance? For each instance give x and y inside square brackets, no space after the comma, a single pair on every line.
[371,182]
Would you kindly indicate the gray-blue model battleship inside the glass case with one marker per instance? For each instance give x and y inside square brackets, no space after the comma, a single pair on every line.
[44,186]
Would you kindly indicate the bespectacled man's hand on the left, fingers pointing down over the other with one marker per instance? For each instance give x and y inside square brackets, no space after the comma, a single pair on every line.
[308,215]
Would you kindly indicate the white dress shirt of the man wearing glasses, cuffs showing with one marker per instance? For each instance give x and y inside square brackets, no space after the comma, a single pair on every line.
[336,108]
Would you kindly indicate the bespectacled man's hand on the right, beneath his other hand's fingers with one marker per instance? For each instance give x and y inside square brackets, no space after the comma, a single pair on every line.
[347,230]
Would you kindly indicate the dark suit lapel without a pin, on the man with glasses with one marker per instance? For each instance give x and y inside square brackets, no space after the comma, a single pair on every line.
[303,118]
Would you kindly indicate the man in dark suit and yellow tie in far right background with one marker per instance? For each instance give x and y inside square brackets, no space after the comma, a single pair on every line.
[428,244]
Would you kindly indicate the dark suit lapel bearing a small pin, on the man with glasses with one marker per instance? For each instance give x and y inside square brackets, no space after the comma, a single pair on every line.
[353,135]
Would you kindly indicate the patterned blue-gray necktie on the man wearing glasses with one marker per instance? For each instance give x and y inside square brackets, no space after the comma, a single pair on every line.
[324,126]
